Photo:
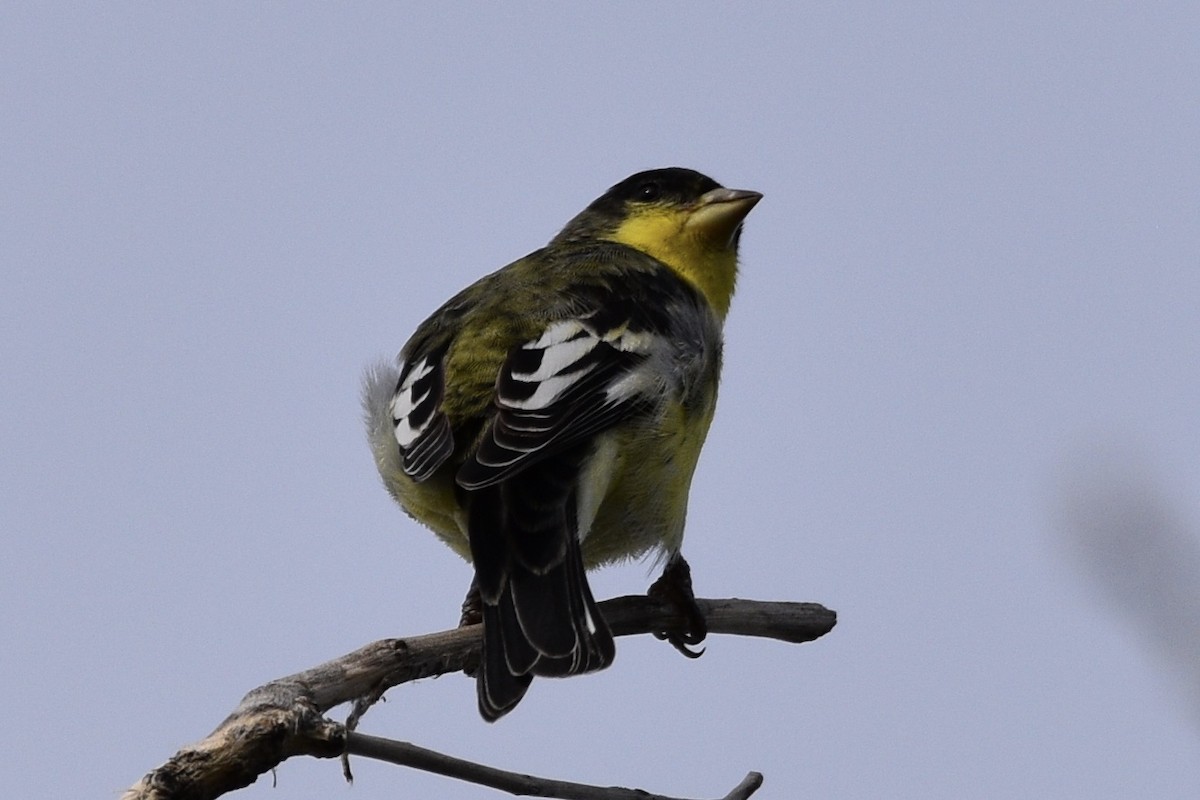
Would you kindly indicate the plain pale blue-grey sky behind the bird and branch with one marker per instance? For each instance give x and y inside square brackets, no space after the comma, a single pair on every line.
[968,322]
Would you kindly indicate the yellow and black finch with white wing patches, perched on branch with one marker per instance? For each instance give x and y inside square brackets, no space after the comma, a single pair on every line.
[548,420]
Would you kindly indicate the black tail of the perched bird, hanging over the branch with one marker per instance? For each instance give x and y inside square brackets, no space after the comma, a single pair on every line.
[539,615]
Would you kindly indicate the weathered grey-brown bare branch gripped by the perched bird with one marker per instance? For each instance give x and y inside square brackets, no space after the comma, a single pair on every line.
[285,718]
